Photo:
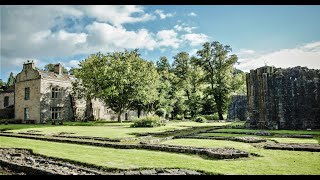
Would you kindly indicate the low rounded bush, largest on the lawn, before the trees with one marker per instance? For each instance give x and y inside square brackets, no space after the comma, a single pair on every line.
[148,121]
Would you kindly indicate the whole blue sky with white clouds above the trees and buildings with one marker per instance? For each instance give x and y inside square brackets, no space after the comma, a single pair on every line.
[278,35]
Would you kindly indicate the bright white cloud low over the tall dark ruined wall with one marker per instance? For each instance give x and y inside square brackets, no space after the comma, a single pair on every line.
[306,55]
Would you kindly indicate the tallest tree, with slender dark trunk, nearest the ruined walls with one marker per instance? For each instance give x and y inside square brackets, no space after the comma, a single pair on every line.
[218,67]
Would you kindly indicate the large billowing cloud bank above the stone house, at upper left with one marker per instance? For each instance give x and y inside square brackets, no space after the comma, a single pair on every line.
[52,32]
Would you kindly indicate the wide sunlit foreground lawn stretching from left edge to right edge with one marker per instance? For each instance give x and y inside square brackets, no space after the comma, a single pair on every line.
[273,162]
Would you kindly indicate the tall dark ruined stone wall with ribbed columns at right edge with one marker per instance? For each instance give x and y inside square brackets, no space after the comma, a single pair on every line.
[283,98]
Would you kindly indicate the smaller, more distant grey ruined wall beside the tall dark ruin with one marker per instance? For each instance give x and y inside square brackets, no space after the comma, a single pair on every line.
[237,108]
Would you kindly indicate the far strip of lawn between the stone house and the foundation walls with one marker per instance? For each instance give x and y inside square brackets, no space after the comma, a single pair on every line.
[112,130]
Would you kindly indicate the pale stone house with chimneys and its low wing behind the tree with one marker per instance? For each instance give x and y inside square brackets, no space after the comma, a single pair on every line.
[42,96]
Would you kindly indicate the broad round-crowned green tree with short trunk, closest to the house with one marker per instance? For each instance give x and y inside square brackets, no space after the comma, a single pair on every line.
[119,79]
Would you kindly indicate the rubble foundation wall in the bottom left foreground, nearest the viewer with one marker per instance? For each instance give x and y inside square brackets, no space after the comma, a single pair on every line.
[21,160]
